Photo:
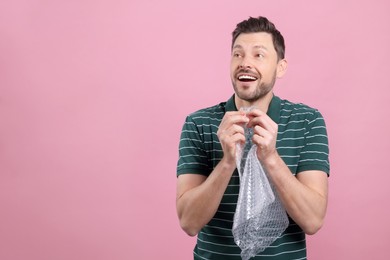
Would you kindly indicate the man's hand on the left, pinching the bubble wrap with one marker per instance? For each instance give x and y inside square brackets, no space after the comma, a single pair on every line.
[230,132]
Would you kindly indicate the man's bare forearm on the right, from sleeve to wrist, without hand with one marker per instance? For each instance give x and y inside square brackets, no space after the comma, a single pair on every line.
[305,204]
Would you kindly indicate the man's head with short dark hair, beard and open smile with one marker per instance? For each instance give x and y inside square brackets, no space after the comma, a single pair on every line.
[257,59]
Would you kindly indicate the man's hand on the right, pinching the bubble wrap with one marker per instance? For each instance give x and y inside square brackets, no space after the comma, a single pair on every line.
[265,132]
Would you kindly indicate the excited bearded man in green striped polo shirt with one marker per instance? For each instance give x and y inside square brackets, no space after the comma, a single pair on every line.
[292,146]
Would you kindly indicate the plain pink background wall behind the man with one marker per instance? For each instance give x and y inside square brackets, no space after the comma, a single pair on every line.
[93,95]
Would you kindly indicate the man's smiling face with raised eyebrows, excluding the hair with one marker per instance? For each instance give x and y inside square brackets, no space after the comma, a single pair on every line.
[253,67]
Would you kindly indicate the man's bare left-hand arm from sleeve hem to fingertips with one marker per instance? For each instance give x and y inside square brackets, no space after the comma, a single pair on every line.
[198,196]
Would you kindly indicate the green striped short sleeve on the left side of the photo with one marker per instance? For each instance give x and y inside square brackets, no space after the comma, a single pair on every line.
[192,155]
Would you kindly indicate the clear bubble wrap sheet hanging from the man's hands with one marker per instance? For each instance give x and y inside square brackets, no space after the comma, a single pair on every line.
[260,217]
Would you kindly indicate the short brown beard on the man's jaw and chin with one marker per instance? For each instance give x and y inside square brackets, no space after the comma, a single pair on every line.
[262,89]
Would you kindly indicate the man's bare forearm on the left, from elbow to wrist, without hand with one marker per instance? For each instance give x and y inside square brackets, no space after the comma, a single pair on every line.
[199,204]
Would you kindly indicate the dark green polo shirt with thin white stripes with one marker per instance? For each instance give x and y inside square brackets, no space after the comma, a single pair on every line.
[302,143]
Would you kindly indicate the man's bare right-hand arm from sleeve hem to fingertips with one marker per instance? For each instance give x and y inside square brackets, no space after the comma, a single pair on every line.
[304,196]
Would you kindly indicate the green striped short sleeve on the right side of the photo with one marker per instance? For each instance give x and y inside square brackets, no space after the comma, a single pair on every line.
[315,153]
